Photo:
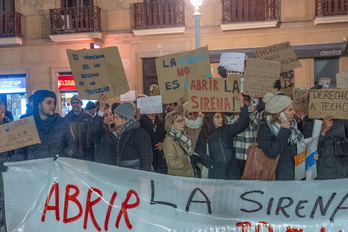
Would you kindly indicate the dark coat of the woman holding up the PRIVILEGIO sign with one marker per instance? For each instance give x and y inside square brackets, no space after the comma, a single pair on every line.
[105,142]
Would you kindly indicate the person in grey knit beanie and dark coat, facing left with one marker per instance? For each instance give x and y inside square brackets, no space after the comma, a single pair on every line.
[134,148]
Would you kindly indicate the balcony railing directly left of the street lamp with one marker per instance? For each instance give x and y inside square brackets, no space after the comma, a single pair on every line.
[158,14]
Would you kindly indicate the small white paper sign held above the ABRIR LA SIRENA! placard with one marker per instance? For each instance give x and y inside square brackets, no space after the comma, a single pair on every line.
[233,61]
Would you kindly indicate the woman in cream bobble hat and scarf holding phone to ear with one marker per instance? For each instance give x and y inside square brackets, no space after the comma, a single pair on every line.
[278,134]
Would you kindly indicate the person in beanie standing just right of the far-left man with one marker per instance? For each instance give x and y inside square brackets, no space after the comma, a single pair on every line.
[79,120]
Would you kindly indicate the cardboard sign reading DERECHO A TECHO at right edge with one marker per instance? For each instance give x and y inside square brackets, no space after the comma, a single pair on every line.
[323,102]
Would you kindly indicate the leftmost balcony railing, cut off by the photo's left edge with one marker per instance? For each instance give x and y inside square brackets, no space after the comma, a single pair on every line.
[10,24]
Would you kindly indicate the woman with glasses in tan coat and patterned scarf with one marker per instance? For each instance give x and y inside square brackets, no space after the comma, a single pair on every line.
[177,147]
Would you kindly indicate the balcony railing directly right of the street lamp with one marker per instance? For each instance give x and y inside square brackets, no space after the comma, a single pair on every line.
[234,11]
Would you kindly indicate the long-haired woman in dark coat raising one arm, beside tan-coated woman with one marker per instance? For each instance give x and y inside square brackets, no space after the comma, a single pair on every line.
[215,140]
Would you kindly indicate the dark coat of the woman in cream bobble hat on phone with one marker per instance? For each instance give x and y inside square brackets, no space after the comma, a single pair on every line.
[273,146]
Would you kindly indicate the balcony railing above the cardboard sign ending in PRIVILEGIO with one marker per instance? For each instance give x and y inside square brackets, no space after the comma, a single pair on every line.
[75,19]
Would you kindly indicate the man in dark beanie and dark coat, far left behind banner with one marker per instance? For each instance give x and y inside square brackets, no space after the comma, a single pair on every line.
[54,132]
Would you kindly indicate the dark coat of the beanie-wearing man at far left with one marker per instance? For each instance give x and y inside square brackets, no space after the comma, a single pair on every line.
[55,137]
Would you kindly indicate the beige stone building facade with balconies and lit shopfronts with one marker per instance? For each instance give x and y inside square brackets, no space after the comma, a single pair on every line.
[37,33]
